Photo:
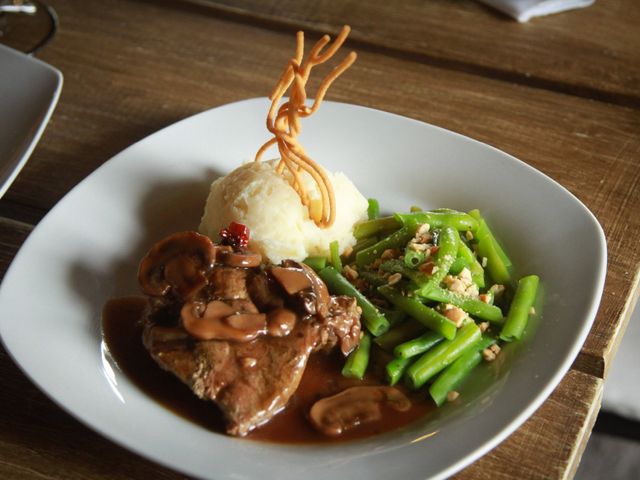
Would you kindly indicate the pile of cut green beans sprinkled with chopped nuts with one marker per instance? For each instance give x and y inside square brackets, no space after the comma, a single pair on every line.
[436,291]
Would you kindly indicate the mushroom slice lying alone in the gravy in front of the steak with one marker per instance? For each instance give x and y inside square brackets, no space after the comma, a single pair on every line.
[355,406]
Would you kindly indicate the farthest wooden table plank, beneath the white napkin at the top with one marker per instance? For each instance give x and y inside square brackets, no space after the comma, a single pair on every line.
[592,52]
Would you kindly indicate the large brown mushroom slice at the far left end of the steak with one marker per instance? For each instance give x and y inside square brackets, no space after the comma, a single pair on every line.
[179,264]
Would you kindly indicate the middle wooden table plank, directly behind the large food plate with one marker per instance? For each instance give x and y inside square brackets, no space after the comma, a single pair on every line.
[167,61]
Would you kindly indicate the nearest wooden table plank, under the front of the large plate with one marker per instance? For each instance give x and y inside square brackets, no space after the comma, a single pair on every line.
[57,446]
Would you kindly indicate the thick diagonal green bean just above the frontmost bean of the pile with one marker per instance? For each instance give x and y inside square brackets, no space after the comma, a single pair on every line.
[442,355]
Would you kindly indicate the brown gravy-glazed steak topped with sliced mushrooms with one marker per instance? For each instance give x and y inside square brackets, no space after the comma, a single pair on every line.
[243,337]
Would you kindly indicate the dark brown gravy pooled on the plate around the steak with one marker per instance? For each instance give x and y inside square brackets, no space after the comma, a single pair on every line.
[122,332]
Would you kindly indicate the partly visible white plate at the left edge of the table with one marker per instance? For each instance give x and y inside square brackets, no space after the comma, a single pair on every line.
[29,91]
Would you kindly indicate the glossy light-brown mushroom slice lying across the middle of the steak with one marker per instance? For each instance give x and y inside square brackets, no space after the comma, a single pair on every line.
[220,321]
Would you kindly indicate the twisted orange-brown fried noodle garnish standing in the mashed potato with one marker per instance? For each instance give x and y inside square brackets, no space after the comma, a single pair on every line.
[283,121]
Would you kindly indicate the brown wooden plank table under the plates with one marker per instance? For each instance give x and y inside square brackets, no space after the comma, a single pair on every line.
[561,93]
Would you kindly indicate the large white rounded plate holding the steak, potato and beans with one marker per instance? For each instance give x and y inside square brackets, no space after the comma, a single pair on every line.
[87,248]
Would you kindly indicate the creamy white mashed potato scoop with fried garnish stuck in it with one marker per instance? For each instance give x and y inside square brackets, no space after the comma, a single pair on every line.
[264,200]
